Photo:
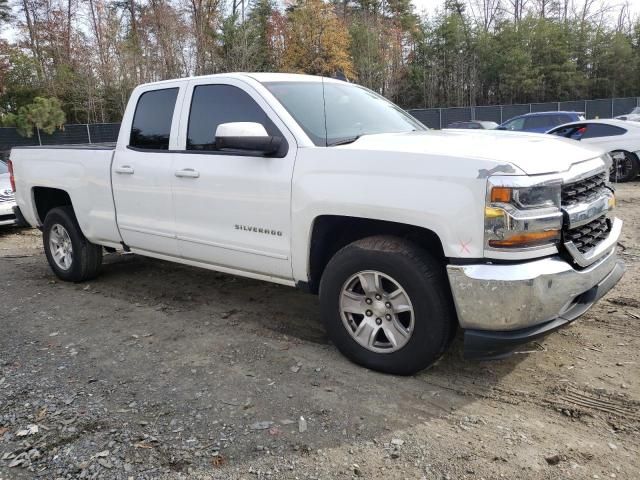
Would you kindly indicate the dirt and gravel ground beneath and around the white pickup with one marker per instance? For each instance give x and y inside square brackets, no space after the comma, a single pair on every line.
[157,370]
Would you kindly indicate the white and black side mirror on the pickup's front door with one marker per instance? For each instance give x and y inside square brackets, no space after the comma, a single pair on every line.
[246,136]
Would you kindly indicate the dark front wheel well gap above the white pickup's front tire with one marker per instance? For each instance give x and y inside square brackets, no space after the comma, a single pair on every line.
[332,232]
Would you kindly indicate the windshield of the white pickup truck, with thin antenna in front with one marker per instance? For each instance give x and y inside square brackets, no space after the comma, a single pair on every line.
[333,113]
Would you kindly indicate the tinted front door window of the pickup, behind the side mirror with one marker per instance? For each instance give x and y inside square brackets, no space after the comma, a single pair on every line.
[212,105]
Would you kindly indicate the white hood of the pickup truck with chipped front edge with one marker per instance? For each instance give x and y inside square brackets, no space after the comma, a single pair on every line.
[532,153]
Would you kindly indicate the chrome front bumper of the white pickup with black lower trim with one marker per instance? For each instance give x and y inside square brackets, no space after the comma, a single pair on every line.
[502,306]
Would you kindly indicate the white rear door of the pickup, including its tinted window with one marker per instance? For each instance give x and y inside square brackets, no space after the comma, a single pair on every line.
[142,171]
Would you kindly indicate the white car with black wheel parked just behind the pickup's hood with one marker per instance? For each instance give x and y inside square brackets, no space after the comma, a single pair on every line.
[618,137]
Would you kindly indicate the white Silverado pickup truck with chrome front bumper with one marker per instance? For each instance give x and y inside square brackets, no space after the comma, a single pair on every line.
[406,233]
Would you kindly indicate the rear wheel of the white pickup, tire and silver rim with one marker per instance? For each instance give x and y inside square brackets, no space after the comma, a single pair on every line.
[82,260]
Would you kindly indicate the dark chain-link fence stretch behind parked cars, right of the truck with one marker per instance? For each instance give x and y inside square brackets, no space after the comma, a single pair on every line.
[441,117]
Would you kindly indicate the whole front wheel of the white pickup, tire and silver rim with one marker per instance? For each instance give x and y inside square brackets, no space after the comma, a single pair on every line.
[431,323]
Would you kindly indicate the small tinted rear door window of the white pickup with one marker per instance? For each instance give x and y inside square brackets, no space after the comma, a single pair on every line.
[152,119]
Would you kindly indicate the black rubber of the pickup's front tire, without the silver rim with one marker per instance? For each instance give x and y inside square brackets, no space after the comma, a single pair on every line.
[424,280]
